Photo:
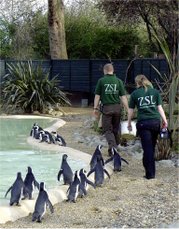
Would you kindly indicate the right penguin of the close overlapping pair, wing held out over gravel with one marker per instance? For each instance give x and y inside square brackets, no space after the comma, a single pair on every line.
[84,183]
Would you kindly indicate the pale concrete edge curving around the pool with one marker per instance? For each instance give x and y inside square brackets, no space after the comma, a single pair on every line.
[56,195]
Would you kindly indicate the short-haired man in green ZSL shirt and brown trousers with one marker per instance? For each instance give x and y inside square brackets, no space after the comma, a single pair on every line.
[110,92]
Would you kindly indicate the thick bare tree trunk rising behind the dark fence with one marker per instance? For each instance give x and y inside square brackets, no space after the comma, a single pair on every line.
[56,29]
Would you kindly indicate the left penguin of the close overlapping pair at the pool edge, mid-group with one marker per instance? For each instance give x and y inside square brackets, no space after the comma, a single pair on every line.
[73,190]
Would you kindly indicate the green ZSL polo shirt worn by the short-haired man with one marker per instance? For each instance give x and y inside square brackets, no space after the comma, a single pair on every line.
[109,87]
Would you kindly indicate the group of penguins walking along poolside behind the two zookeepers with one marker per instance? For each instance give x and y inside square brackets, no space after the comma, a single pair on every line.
[78,182]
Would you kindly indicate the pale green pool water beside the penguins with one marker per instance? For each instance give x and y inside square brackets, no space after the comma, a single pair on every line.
[16,154]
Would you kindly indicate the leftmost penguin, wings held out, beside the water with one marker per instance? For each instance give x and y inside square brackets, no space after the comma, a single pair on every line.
[16,190]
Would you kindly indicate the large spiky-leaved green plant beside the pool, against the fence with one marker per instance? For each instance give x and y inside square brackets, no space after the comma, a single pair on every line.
[30,89]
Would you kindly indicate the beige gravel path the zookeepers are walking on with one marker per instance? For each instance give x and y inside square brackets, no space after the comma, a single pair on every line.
[126,200]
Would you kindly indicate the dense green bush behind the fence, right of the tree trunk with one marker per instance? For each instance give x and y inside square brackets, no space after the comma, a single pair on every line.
[88,39]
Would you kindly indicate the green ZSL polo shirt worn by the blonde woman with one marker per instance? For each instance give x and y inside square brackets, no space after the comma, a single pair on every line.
[146,103]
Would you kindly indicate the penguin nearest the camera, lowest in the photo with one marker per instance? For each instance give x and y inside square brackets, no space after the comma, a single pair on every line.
[41,204]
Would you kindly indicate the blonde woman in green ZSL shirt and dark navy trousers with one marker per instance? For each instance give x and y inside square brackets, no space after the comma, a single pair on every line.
[149,112]
